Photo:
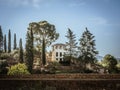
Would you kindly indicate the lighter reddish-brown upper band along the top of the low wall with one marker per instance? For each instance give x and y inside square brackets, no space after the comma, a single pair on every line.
[62,76]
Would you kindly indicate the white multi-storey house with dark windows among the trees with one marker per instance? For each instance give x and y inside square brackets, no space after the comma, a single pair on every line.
[58,51]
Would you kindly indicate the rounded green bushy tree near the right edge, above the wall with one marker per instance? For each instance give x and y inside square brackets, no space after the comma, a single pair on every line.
[110,63]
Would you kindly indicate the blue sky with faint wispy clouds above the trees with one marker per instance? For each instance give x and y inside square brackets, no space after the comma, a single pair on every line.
[101,17]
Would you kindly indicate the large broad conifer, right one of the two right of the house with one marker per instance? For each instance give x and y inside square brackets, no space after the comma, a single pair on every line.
[87,48]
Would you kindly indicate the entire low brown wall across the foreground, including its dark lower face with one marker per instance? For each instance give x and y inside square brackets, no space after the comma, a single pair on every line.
[60,82]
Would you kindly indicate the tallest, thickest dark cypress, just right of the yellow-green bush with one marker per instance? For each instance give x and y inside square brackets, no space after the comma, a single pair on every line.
[29,49]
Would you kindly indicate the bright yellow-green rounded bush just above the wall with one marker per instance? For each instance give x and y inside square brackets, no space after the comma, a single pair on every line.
[18,69]
